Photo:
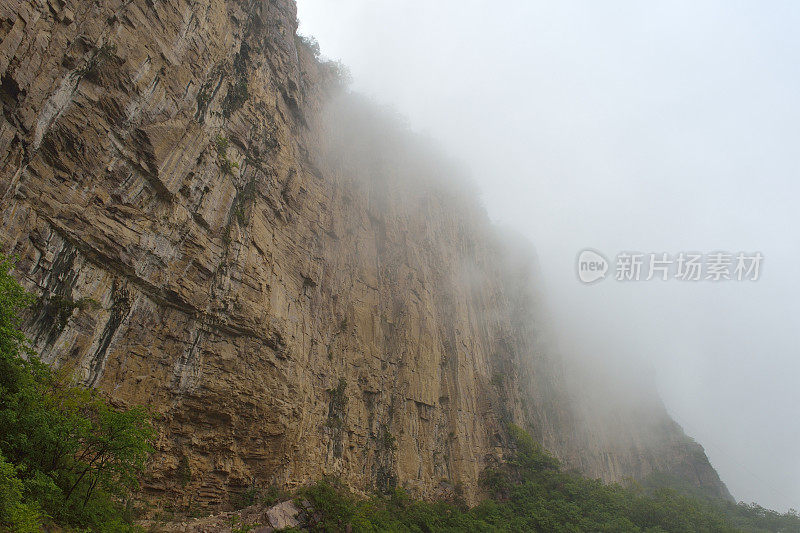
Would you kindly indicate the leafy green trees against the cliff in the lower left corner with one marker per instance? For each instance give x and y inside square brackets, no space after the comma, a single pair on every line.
[66,455]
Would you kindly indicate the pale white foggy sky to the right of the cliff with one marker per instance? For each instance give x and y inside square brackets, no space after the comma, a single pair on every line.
[626,126]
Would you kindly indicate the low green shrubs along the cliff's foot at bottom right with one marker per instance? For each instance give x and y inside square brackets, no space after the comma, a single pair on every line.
[530,492]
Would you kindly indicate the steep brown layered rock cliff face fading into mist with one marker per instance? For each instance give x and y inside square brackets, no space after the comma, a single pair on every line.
[290,281]
